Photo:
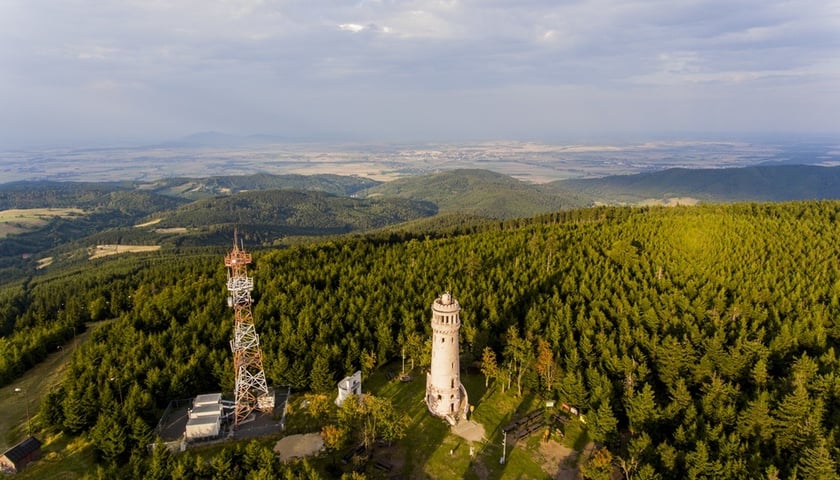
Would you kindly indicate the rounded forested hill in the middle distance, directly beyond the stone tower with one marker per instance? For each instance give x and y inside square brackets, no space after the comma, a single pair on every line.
[480,192]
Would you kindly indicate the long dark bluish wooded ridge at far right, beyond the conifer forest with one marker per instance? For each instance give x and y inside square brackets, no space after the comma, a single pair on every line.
[758,183]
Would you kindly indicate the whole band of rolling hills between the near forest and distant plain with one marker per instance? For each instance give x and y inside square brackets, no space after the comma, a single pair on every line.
[202,212]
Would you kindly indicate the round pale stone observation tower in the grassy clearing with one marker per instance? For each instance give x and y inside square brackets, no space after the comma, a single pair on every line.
[445,396]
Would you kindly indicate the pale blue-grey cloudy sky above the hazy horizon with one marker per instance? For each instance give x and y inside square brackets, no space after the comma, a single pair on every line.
[99,71]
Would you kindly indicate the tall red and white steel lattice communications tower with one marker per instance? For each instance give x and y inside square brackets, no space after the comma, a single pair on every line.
[251,391]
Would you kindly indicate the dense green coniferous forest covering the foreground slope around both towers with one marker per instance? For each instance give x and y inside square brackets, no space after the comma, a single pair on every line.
[699,342]
